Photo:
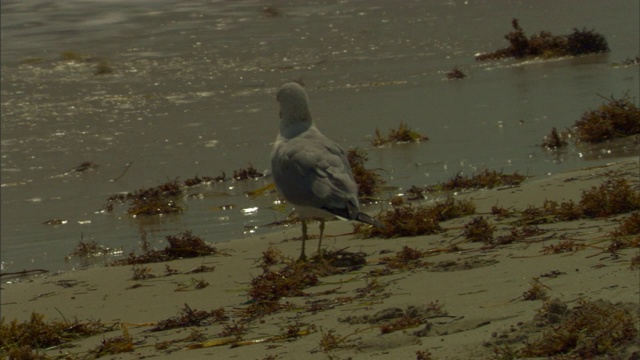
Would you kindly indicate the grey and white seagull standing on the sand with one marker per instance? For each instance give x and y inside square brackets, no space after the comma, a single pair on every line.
[311,171]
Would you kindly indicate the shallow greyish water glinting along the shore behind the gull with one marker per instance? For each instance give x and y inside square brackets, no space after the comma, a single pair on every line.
[192,93]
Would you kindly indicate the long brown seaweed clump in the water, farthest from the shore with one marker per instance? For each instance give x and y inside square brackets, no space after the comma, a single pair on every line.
[547,45]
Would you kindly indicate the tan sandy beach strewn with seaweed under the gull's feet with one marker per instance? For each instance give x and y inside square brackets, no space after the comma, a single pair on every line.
[462,299]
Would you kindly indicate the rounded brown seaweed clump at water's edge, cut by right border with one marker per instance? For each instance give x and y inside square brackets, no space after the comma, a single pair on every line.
[616,118]
